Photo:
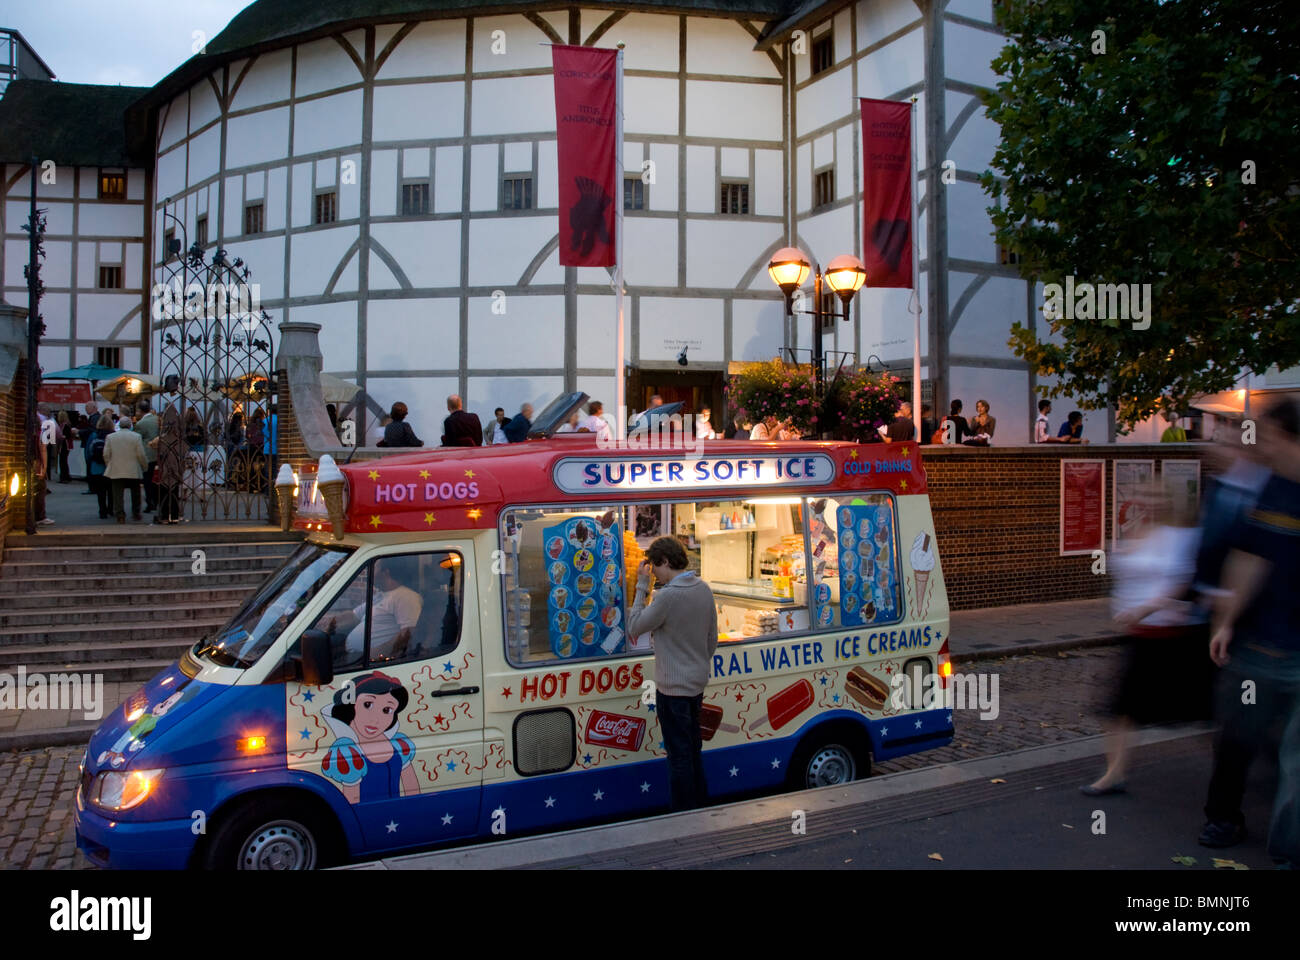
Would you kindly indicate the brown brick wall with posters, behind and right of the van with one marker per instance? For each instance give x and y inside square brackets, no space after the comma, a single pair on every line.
[998,520]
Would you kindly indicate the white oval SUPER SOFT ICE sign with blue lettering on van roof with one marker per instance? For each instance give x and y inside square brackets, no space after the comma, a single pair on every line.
[603,475]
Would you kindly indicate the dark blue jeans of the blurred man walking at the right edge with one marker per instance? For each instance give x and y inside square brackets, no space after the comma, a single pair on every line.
[1246,728]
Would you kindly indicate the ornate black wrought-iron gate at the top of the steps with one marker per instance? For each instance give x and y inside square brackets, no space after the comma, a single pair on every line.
[215,348]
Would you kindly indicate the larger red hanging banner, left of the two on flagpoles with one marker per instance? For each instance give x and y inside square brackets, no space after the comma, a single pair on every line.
[587,135]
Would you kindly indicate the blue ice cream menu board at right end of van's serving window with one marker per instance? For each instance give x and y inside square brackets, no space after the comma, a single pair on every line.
[868,578]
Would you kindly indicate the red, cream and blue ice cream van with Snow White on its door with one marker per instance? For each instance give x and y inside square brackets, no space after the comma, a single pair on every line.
[445,658]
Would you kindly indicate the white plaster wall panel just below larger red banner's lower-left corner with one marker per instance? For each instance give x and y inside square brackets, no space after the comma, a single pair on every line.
[527,335]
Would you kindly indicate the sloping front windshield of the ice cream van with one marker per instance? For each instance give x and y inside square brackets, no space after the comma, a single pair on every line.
[262,619]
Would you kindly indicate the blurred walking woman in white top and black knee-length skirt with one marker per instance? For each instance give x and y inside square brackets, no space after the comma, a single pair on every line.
[1168,676]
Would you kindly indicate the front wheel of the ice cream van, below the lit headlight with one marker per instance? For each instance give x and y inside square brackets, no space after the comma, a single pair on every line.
[278,836]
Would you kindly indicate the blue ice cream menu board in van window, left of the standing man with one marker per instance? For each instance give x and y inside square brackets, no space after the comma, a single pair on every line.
[584,607]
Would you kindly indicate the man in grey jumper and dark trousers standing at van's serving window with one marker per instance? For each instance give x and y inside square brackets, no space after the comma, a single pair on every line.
[684,624]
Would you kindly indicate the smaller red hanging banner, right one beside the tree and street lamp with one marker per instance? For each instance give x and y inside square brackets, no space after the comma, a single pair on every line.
[887,192]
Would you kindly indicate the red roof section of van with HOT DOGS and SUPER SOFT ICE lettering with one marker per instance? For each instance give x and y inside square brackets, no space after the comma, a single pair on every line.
[466,488]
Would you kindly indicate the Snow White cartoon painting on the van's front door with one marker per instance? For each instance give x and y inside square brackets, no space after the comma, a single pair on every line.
[370,760]
